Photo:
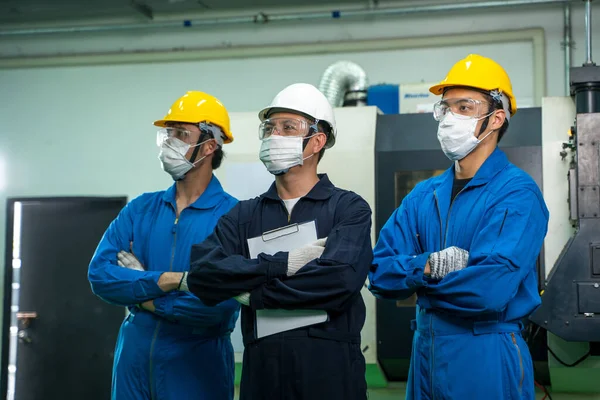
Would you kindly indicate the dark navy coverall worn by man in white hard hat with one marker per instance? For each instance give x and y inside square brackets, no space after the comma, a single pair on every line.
[318,362]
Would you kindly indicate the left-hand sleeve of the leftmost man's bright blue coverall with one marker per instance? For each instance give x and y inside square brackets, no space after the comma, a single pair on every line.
[115,284]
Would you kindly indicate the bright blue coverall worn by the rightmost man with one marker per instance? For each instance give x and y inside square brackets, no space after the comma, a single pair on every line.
[467,342]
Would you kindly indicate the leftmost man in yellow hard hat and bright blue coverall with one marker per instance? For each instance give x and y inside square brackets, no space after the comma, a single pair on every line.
[171,346]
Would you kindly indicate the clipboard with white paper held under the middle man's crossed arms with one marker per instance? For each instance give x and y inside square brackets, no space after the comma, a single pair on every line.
[270,322]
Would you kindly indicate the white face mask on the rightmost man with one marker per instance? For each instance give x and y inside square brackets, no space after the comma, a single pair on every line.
[457,136]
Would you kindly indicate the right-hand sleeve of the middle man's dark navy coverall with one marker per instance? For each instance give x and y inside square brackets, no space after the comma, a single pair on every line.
[331,282]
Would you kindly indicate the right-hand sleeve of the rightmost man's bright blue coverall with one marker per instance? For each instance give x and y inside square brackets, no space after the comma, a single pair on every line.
[502,254]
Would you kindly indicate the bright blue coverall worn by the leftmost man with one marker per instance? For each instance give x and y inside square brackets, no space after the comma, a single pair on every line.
[182,350]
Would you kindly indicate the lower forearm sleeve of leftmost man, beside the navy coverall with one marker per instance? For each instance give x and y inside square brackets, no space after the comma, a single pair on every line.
[186,308]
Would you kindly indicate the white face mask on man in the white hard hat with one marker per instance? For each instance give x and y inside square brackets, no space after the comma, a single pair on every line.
[280,153]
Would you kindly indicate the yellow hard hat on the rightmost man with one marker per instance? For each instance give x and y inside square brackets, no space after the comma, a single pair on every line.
[480,73]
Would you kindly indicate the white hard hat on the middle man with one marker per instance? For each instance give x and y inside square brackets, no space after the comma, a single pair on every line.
[305,99]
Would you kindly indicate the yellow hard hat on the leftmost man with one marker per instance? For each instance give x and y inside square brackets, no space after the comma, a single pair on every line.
[195,107]
